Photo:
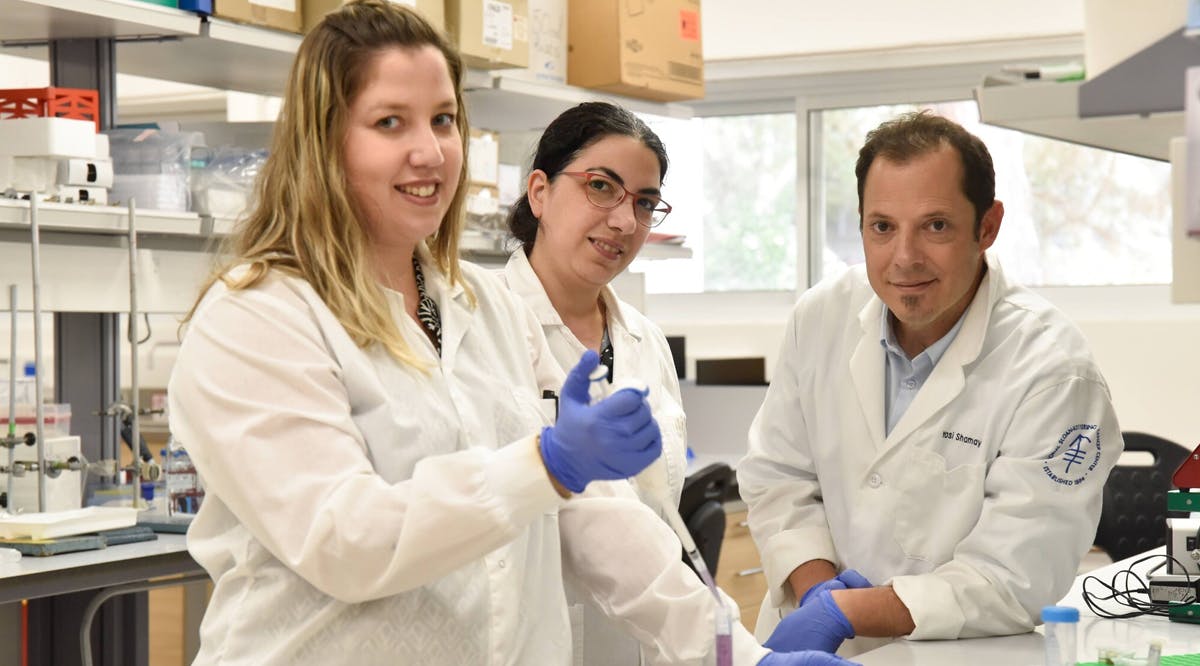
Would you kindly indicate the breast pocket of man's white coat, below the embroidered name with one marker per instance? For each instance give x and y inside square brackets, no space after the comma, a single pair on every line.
[931,505]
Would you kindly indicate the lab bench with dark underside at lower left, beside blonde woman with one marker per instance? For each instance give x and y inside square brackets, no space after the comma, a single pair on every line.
[62,586]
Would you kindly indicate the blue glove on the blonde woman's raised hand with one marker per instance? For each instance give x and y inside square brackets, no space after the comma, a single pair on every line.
[615,439]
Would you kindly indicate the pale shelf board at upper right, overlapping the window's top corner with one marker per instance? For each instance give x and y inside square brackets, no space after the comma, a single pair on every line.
[1052,110]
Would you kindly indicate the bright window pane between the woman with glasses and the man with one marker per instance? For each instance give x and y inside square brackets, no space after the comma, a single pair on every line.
[733,184]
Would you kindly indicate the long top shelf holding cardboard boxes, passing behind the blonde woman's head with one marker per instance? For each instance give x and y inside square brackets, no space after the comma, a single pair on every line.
[179,46]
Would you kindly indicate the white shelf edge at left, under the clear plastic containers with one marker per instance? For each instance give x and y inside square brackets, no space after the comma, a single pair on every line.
[98,220]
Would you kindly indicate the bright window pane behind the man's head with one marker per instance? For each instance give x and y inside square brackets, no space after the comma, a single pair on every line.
[1073,215]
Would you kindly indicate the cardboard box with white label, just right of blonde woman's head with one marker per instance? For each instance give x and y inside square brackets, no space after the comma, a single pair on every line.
[491,34]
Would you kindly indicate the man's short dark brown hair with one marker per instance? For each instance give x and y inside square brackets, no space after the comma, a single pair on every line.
[917,134]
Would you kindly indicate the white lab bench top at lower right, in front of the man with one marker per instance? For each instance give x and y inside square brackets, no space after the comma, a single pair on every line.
[1028,650]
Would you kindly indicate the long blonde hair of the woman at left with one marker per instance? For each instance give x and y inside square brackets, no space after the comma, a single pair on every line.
[304,223]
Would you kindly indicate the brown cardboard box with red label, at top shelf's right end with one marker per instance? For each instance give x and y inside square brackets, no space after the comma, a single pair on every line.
[640,49]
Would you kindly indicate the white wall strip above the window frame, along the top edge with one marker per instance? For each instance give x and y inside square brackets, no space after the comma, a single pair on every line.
[781,28]
